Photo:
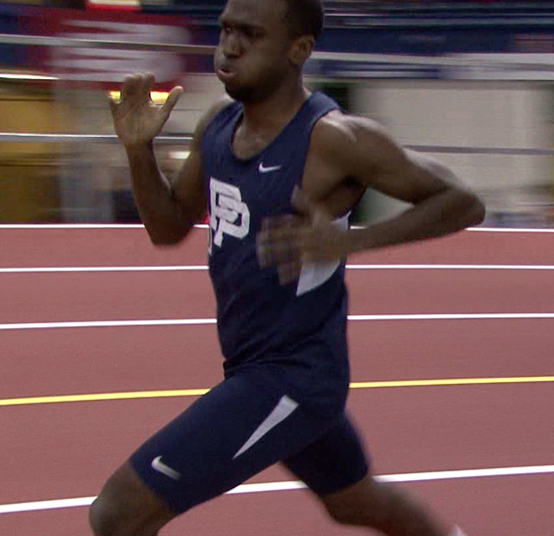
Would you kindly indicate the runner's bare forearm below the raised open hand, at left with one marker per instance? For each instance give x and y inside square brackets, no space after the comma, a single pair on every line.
[158,208]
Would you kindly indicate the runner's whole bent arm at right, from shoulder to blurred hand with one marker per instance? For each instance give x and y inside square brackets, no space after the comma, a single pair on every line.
[354,154]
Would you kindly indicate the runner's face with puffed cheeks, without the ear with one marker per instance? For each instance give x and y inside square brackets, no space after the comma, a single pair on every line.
[253,53]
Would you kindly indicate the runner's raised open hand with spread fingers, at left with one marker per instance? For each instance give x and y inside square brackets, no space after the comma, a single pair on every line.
[137,120]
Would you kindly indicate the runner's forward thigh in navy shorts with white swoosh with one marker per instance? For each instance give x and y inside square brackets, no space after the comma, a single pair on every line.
[242,426]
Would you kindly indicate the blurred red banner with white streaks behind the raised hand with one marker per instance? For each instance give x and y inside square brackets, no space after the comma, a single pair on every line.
[107,67]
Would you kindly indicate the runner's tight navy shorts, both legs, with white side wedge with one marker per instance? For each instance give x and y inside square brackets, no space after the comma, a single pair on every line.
[255,418]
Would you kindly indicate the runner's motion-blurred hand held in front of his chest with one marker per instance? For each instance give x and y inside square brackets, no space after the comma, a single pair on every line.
[308,236]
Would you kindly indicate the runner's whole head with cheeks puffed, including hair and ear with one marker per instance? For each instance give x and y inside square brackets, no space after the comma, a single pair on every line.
[265,43]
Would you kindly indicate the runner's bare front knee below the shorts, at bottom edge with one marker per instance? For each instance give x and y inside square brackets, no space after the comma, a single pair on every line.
[125,507]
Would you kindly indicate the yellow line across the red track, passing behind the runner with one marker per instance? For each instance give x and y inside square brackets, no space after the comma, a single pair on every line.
[198,392]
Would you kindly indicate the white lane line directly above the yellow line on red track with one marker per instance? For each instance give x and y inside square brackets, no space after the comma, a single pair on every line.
[206,321]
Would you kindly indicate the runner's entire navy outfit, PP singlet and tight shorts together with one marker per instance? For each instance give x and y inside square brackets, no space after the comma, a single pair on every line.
[286,369]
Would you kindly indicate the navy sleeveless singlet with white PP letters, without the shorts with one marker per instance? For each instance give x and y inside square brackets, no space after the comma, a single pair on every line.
[257,316]
